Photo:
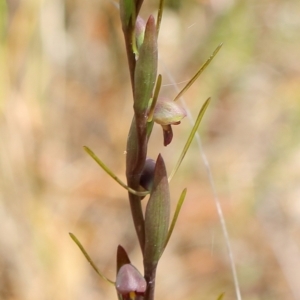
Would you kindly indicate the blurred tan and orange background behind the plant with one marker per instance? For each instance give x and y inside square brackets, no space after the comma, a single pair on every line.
[64,83]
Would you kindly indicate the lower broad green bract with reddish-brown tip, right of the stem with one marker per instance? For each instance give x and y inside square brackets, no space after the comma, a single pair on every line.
[157,216]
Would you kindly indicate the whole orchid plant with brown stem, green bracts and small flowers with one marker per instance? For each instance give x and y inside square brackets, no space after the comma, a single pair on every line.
[146,178]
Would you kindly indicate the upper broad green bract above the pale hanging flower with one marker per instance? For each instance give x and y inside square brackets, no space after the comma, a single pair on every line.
[145,71]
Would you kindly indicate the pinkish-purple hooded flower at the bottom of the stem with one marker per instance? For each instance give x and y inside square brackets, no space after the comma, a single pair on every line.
[130,281]
